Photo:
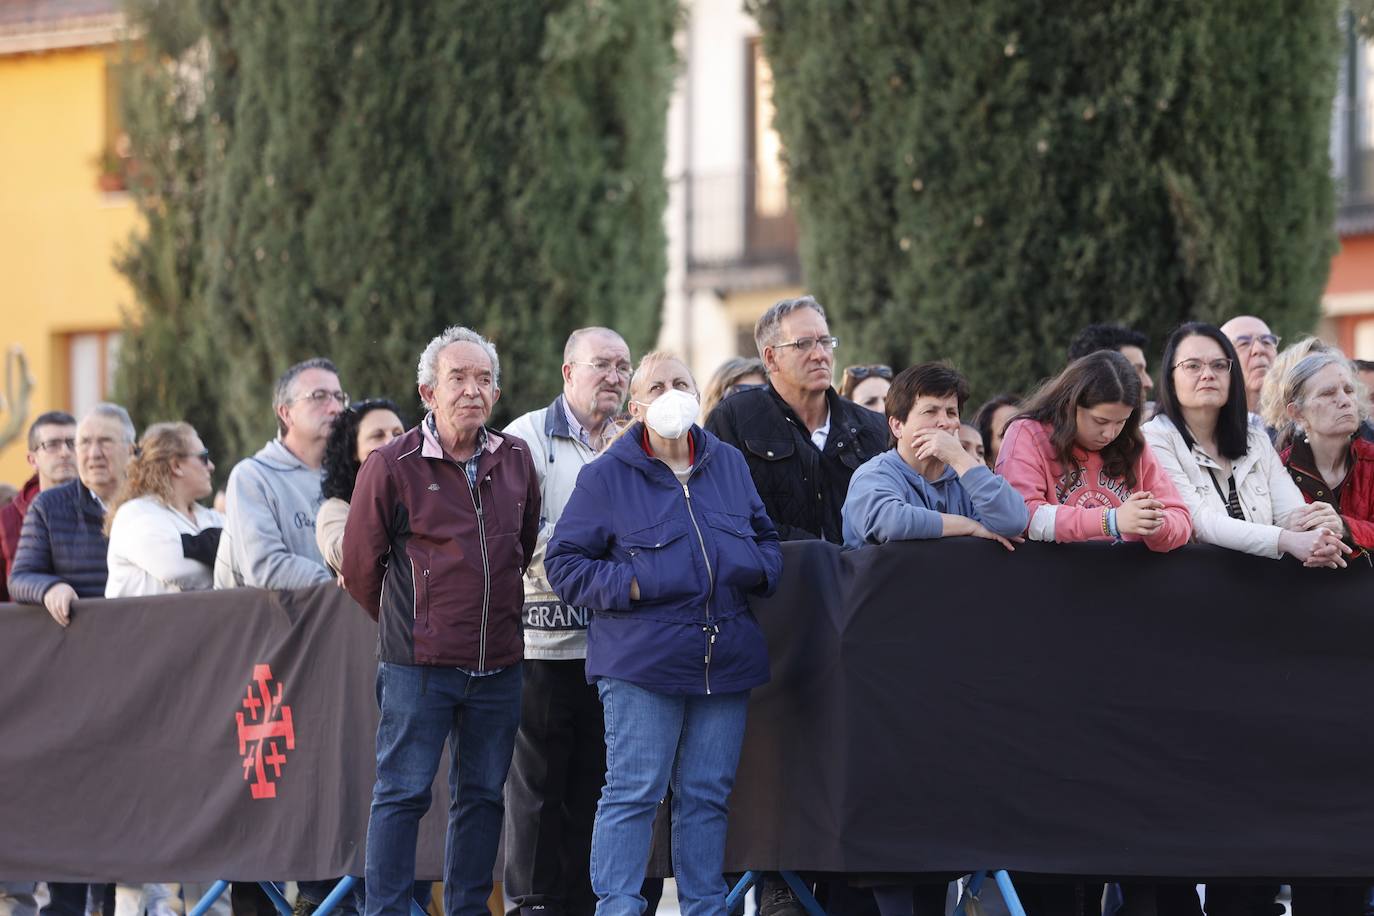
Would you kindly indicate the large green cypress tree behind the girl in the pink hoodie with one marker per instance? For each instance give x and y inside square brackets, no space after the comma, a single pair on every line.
[978,182]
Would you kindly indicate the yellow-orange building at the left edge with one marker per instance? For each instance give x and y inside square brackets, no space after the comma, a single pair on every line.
[64,215]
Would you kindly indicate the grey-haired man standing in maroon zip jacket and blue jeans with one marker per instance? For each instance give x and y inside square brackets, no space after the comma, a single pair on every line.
[440,529]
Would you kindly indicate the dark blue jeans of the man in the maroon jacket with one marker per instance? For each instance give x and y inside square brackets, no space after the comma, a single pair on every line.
[421,708]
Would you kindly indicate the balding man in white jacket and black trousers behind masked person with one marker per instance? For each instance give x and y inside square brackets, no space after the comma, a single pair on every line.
[560,763]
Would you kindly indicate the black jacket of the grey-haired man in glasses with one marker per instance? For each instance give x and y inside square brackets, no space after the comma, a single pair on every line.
[803,487]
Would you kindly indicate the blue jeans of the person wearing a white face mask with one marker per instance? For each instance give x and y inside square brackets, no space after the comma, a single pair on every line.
[655,741]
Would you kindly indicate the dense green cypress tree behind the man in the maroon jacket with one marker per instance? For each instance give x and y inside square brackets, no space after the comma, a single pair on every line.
[377,171]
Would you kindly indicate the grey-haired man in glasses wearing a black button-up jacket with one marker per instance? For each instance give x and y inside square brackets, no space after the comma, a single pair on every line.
[802,440]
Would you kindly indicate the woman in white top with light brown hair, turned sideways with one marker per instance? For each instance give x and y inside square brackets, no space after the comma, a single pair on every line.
[161,542]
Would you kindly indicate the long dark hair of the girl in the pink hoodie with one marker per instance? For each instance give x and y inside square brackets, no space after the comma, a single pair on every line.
[1104,377]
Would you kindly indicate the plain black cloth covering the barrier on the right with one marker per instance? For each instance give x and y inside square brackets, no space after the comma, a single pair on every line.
[1071,709]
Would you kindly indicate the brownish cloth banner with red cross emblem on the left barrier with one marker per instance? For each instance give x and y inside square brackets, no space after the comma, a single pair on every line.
[193,738]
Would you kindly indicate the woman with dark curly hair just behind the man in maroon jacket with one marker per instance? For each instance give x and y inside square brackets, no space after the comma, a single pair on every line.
[361,429]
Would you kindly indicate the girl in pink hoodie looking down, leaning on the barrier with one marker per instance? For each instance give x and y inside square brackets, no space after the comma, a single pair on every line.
[1079,459]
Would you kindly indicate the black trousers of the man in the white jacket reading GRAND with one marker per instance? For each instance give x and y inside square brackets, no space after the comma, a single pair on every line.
[553,789]
